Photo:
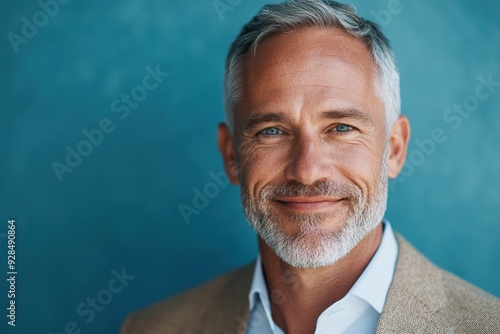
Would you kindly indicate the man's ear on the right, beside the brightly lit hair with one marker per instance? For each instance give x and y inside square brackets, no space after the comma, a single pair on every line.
[399,137]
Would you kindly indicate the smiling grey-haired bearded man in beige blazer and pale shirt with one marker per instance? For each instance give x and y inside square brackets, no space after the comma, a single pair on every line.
[314,132]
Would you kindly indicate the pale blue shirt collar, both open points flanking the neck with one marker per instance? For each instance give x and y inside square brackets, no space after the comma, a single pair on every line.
[372,286]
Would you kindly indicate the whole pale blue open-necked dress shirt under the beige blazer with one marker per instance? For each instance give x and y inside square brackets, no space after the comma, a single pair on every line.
[358,312]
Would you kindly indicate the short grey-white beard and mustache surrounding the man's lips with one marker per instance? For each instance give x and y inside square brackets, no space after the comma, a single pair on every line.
[312,247]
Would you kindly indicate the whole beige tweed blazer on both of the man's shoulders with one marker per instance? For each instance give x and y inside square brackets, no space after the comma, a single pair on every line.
[422,299]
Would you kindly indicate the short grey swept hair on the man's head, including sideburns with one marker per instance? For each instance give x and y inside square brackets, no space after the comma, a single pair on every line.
[295,14]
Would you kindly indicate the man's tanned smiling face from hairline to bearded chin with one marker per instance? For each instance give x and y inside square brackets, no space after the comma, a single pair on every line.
[311,145]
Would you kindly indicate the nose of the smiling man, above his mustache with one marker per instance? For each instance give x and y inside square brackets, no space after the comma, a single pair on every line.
[309,160]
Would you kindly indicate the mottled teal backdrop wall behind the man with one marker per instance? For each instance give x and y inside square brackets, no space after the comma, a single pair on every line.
[119,208]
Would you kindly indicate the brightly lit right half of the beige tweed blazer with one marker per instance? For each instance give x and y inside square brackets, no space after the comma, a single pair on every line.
[439,301]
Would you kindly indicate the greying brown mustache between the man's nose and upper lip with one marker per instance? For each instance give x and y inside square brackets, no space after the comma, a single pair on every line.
[319,188]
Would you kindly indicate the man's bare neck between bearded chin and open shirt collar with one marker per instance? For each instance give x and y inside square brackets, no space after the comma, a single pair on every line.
[299,295]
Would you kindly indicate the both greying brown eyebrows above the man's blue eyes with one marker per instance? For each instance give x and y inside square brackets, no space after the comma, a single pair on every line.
[255,120]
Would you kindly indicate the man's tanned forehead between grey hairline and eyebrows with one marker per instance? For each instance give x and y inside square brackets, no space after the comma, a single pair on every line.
[309,64]
